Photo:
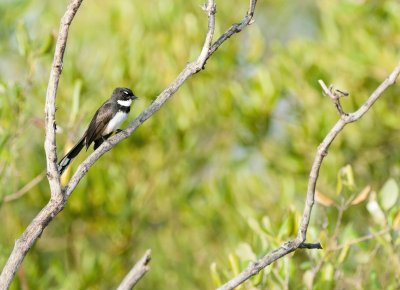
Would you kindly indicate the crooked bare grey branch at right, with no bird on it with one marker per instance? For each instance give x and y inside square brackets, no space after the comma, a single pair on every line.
[322,151]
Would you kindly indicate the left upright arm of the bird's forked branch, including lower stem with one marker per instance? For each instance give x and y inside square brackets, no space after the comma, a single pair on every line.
[56,204]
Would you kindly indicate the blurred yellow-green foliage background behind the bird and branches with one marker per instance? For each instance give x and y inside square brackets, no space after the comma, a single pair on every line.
[218,176]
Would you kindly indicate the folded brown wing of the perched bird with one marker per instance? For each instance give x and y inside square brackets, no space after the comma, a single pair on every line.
[99,122]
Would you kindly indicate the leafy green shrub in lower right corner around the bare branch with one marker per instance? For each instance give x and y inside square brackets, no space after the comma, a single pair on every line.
[351,252]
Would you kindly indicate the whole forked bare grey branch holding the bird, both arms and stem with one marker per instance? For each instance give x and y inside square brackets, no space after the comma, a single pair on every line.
[59,197]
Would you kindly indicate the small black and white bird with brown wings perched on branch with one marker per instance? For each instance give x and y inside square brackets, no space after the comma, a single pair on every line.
[105,121]
